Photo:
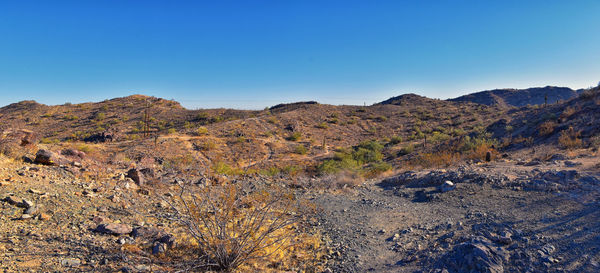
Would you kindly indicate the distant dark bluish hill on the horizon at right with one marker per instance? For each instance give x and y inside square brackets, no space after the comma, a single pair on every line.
[520,97]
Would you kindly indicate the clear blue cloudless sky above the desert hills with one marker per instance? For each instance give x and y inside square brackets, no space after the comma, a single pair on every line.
[252,54]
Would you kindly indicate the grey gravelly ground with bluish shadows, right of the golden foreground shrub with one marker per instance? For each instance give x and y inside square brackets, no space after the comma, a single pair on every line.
[509,216]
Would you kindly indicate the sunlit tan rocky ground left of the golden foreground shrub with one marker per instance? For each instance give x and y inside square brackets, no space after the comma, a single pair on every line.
[53,219]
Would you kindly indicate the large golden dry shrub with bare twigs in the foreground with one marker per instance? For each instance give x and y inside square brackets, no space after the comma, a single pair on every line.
[233,229]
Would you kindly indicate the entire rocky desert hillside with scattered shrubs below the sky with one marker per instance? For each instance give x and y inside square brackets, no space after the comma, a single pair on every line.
[141,184]
